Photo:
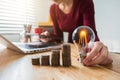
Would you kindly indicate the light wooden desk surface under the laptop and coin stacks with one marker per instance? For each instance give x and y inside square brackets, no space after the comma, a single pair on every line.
[15,66]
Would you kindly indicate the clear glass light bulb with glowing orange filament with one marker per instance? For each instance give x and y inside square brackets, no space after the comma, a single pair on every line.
[83,38]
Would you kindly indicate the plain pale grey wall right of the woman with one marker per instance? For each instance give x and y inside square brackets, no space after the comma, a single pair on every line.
[108,22]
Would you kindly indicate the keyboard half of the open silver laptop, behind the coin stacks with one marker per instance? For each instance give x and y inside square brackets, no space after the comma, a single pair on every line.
[36,47]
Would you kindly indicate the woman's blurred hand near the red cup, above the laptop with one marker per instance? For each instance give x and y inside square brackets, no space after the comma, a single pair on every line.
[47,37]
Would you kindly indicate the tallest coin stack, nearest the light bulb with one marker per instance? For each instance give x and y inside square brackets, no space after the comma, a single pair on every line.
[66,55]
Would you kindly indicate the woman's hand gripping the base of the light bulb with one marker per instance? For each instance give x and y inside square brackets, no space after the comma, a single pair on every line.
[98,55]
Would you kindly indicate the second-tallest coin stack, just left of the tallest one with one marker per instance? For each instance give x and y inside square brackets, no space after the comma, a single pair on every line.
[55,58]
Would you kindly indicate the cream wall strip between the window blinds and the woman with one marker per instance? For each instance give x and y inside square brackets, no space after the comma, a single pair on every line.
[42,11]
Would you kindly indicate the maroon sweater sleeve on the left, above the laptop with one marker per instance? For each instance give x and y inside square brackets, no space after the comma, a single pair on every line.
[57,32]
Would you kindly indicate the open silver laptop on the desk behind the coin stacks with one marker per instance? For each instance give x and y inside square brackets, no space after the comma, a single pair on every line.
[26,48]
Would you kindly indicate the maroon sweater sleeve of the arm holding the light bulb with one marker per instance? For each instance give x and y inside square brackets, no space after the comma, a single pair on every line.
[88,17]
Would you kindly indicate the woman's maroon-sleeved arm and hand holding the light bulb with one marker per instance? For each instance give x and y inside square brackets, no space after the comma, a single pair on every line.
[99,53]
